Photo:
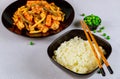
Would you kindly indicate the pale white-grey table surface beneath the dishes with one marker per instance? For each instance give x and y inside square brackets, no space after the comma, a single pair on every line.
[19,60]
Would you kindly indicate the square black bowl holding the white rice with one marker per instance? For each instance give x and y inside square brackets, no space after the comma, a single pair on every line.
[71,34]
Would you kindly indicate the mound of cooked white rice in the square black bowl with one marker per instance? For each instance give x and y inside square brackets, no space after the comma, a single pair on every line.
[76,55]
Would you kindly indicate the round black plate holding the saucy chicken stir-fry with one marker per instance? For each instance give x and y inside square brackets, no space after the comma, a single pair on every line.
[9,11]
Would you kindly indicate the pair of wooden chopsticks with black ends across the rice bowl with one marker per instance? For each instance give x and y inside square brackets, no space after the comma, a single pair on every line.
[91,38]
